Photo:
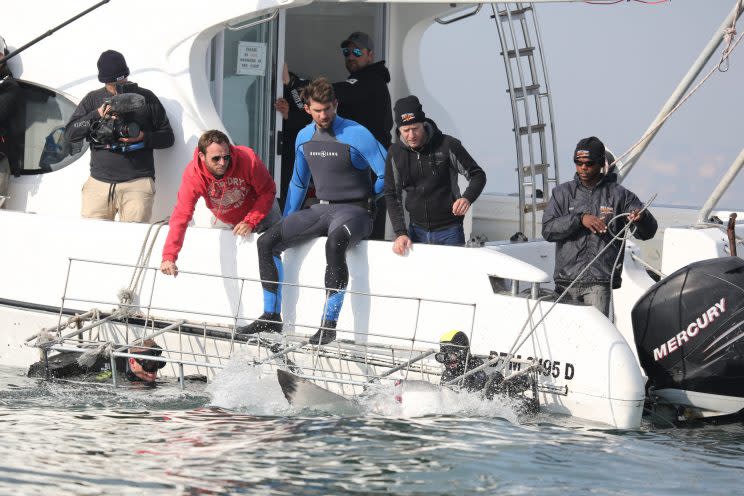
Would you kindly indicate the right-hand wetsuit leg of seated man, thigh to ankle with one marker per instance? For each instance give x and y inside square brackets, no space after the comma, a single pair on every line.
[349,225]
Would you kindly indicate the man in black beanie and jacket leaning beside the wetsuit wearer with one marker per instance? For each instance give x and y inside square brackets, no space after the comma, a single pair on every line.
[425,164]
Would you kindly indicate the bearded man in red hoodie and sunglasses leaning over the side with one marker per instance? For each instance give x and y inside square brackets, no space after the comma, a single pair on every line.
[235,185]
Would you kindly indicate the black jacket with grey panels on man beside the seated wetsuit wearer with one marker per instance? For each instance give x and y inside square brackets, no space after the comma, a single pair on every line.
[429,178]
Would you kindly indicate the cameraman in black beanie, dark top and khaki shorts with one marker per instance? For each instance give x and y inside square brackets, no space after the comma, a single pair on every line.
[122,172]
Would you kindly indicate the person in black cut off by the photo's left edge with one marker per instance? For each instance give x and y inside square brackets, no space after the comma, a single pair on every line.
[10,94]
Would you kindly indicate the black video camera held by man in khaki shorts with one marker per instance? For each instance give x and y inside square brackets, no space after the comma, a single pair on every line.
[106,132]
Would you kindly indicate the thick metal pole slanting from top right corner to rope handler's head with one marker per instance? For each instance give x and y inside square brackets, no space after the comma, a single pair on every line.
[681,89]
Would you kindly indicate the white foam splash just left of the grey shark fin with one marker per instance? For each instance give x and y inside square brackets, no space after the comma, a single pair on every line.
[248,388]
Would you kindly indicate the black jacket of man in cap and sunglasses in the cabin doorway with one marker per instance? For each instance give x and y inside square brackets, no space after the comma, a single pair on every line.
[364,98]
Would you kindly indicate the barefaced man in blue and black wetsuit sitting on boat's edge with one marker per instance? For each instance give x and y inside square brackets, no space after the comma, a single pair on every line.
[338,154]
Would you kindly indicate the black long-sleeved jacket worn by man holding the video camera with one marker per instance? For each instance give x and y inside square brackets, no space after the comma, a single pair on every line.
[116,167]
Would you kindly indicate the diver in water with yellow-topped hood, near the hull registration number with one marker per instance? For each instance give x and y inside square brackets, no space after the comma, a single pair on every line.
[454,354]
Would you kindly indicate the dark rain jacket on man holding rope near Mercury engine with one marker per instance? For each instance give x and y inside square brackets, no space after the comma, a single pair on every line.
[576,246]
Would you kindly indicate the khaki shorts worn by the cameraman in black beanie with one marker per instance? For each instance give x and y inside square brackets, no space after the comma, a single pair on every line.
[132,200]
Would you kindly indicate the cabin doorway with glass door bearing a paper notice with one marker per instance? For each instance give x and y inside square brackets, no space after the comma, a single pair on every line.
[246,61]
